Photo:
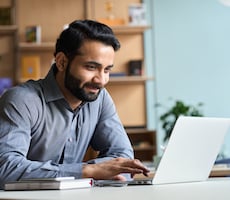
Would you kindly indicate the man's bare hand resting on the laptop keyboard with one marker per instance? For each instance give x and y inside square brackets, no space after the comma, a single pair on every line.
[113,168]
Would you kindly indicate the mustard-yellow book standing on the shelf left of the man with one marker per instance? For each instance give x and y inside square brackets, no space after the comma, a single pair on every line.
[30,67]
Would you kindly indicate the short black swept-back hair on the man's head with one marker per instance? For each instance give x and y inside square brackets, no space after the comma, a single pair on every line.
[71,39]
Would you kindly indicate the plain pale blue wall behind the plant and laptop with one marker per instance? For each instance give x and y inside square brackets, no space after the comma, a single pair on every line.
[192,56]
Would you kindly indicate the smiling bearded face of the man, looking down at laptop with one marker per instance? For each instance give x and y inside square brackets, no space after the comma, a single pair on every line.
[88,73]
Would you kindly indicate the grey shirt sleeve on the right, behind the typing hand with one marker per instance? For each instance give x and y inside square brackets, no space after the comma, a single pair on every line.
[110,137]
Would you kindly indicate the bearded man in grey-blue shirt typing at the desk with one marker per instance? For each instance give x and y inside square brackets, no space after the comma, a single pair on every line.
[47,125]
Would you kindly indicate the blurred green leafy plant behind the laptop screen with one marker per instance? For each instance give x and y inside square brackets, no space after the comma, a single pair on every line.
[169,118]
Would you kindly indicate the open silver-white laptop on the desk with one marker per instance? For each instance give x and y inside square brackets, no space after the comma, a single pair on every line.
[190,153]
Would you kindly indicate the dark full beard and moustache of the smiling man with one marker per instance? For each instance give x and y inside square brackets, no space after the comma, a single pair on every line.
[73,84]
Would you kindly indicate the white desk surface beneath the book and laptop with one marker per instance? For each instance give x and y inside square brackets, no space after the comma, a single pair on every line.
[208,190]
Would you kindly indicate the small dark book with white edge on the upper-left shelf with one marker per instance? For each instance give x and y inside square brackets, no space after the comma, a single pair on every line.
[33,34]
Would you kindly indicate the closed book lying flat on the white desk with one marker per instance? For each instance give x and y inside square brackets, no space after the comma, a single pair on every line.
[60,183]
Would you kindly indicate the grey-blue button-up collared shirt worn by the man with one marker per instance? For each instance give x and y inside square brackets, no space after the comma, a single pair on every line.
[41,136]
